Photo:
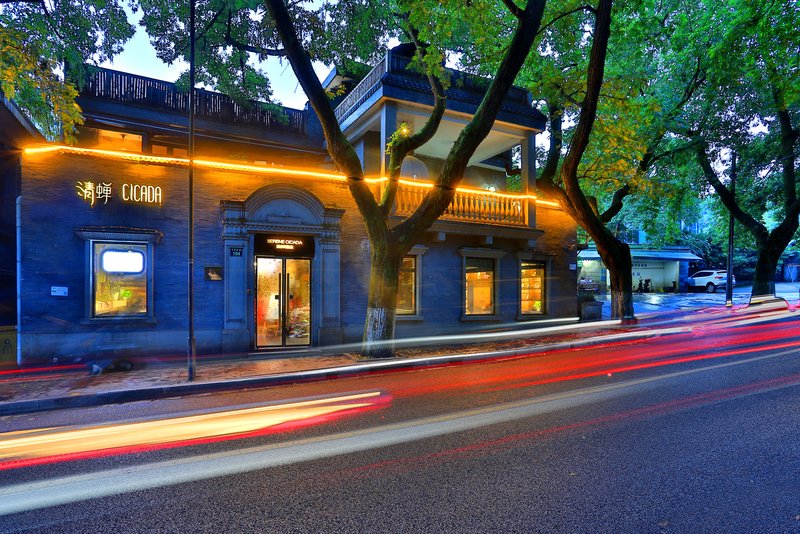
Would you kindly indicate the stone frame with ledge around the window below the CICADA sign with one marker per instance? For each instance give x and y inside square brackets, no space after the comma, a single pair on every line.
[122,237]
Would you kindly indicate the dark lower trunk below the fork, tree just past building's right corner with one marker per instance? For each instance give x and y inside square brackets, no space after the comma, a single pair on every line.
[616,256]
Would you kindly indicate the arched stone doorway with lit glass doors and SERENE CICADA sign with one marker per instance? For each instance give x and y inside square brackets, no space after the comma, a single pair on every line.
[282,249]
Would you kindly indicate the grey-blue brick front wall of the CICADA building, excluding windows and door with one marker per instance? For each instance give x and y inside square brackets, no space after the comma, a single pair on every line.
[54,255]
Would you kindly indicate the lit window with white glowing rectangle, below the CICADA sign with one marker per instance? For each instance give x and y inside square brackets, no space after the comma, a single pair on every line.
[119,279]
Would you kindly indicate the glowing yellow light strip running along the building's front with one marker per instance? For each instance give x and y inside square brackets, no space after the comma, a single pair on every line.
[238,167]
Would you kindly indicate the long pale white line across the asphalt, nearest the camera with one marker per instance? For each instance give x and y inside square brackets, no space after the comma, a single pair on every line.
[47,493]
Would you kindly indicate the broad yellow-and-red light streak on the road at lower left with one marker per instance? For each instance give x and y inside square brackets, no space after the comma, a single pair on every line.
[38,446]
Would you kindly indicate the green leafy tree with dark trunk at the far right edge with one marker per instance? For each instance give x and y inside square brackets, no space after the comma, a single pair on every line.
[750,109]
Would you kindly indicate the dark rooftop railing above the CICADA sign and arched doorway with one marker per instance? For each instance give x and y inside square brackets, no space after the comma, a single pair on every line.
[165,96]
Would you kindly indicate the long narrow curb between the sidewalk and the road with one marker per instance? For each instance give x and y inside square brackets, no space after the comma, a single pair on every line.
[314,375]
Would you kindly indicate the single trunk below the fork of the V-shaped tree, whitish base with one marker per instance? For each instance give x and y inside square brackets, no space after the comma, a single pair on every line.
[378,339]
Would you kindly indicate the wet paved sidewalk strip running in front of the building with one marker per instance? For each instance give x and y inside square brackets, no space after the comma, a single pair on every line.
[71,386]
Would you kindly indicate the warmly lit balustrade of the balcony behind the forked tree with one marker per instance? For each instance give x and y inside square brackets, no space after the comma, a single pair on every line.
[468,206]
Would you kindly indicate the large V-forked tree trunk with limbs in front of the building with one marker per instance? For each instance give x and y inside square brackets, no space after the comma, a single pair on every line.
[389,245]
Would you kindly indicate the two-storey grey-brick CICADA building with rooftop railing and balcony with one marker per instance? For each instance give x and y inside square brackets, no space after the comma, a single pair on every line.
[281,253]
